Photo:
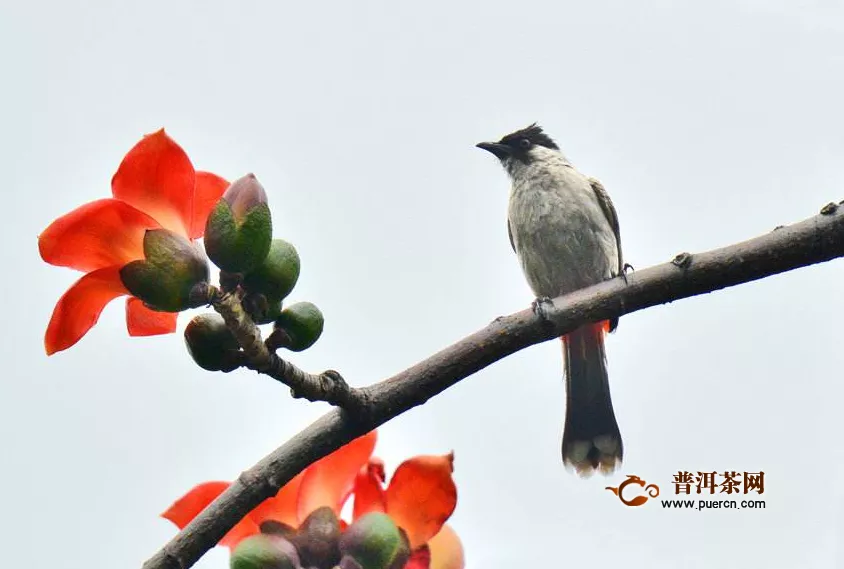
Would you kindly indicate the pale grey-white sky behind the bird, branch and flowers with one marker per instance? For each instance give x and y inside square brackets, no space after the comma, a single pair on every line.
[709,123]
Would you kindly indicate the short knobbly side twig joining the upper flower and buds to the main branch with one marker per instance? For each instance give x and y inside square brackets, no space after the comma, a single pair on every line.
[328,386]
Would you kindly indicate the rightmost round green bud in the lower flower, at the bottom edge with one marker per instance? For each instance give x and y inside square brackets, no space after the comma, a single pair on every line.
[375,542]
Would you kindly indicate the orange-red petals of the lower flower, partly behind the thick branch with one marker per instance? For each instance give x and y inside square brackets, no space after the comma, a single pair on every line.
[420,498]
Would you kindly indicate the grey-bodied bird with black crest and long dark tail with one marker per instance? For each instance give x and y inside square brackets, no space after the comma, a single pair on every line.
[564,230]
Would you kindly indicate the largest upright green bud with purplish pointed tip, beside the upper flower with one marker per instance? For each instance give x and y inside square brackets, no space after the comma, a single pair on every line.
[239,229]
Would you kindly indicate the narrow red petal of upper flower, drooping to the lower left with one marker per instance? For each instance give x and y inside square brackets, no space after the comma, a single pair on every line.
[79,308]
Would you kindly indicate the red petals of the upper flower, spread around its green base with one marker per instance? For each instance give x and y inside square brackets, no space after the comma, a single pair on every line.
[154,187]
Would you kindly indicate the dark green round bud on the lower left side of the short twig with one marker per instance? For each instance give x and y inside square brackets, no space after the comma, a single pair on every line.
[211,344]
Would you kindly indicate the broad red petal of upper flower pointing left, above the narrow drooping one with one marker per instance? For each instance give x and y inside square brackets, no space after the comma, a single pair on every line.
[99,234]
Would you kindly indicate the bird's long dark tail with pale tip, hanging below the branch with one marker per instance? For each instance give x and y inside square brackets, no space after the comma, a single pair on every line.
[591,439]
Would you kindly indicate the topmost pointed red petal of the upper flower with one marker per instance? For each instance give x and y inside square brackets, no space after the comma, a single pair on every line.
[157,177]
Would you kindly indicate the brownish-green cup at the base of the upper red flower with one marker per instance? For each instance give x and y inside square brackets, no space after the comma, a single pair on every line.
[171,269]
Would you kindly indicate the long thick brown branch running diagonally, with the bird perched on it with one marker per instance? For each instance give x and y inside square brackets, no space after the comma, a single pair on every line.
[815,240]
